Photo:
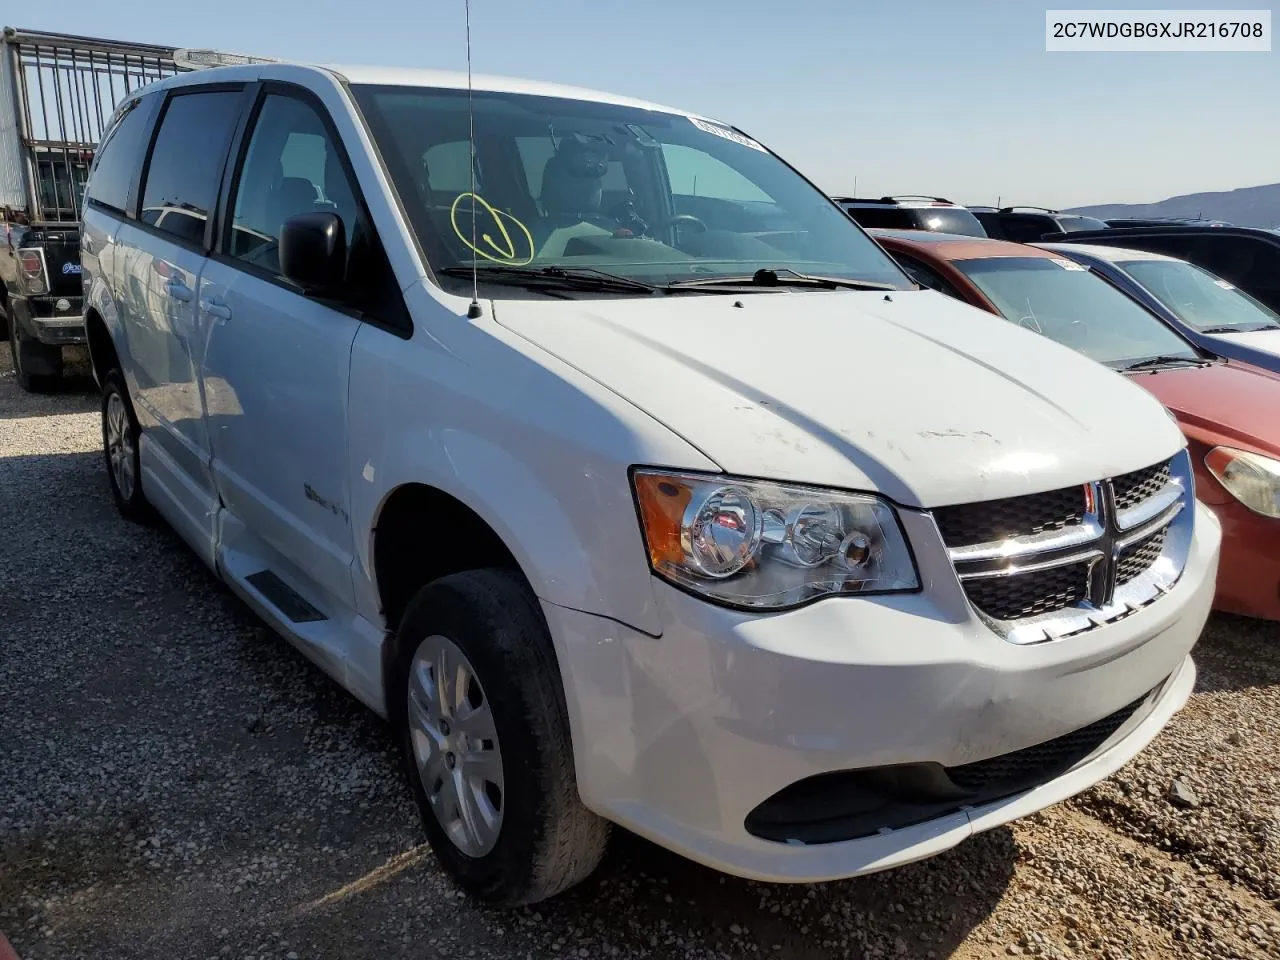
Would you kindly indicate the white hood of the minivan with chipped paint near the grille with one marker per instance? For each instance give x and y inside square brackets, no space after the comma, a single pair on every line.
[915,395]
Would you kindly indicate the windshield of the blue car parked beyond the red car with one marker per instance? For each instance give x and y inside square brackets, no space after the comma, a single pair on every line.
[1199,299]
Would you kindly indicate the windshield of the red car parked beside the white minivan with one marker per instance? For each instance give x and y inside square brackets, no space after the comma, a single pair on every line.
[1068,304]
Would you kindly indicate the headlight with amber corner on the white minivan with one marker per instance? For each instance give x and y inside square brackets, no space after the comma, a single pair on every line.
[749,543]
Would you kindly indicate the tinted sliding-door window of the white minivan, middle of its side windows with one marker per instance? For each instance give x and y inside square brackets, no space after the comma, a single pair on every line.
[186,162]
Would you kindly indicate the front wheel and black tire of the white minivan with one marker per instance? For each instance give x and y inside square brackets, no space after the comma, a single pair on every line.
[482,714]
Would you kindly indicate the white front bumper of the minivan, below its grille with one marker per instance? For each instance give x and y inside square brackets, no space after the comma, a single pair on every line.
[680,738]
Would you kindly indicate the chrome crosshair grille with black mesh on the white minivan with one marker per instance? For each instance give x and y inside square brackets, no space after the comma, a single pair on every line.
[1057,564]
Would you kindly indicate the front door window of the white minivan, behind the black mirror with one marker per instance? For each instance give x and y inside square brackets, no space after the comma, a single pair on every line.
[292,167]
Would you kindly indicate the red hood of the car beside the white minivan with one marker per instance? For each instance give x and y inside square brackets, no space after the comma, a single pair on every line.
[1222,404]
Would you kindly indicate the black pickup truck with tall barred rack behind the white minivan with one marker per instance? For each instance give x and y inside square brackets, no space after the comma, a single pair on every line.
[57,95]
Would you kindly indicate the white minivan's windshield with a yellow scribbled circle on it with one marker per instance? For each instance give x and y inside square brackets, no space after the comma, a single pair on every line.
[578,185]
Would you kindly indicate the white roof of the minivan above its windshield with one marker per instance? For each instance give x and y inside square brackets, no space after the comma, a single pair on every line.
[410,77]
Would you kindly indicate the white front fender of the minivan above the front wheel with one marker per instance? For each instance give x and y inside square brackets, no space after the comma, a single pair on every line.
[538,452]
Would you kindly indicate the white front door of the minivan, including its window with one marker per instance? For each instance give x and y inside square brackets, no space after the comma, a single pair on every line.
[277,365]
